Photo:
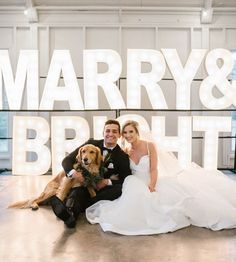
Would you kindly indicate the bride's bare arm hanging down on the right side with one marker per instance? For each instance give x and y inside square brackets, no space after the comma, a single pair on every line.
[153,166]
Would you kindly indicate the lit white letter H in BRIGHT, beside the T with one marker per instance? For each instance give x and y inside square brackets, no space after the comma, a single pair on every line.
[181,144]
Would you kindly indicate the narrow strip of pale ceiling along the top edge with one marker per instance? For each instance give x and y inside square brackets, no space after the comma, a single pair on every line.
[119,3]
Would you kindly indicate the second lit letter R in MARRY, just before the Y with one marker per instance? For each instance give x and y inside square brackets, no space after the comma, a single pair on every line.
[136,79]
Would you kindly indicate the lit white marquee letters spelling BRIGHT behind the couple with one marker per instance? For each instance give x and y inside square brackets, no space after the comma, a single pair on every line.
[210,125]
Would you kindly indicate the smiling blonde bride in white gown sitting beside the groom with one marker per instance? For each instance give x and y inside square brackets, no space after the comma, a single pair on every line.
[161,197]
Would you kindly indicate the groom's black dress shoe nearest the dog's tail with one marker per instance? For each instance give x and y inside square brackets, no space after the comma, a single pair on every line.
[61,211]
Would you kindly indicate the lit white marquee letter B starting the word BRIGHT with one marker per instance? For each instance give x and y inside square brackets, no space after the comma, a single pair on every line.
[23,145]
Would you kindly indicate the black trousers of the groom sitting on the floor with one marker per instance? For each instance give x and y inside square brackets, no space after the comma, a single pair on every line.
[79,198]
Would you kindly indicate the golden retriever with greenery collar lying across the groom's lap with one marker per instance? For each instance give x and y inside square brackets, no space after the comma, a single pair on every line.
[88,159]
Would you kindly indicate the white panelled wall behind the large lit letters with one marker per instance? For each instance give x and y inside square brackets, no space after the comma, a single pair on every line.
[117,30]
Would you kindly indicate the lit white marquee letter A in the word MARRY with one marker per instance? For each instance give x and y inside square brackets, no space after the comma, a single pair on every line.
[61,63]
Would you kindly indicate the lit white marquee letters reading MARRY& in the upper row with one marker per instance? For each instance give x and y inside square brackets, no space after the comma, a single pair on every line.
[27,77]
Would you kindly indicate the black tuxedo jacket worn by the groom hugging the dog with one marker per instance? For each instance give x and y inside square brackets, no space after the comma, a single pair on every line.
[117,171]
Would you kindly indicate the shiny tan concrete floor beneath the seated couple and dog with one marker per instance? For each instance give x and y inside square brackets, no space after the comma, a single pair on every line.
[27,235]
